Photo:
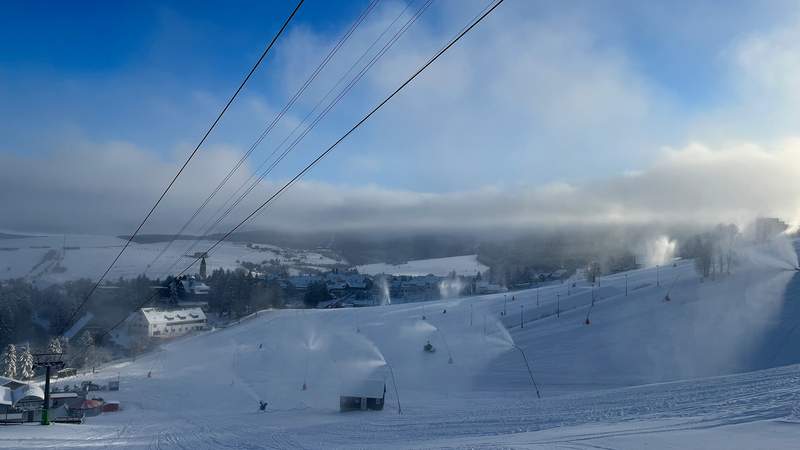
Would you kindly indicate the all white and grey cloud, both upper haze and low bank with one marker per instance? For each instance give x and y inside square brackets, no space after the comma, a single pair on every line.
[534,119]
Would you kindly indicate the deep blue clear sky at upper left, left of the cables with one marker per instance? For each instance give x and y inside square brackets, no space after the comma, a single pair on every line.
[102,68]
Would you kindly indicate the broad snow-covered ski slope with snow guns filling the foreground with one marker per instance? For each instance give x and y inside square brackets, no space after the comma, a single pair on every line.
[714,367]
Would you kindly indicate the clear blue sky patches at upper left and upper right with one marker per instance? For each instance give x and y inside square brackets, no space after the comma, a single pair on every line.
[125,70]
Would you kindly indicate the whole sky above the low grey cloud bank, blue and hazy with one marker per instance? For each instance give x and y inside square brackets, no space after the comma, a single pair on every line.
[542,94]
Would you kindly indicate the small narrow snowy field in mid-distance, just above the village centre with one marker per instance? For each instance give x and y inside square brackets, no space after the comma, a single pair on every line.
[463,265]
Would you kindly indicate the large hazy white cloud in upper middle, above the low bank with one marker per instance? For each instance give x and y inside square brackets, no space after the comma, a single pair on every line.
[523,99]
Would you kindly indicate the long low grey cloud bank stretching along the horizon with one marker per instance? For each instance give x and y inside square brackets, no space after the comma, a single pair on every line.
[108,189]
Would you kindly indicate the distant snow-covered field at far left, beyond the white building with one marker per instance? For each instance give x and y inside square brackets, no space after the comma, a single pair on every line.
[56,258]
